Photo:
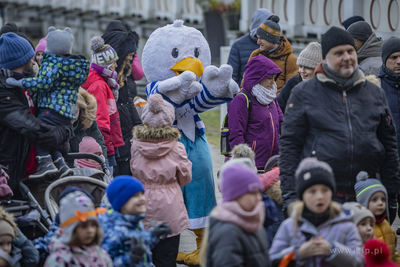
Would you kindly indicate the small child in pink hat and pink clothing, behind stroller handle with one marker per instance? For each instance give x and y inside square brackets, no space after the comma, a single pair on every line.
[88,145]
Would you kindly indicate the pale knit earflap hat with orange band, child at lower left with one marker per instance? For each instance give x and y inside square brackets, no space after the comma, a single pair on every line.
[75,208]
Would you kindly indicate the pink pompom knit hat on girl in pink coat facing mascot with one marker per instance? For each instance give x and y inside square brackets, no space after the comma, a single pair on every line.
[158,112]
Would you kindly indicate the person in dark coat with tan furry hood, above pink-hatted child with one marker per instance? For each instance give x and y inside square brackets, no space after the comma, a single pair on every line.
[85,124]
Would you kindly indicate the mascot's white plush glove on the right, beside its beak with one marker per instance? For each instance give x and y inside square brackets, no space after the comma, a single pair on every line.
[219,81]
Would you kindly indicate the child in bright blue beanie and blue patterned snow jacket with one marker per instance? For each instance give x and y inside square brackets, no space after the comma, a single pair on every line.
[125,239]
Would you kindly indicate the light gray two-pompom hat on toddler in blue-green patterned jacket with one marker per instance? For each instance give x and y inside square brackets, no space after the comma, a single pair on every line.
[59,42]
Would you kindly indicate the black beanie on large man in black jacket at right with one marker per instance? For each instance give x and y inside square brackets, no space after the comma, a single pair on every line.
[334,37]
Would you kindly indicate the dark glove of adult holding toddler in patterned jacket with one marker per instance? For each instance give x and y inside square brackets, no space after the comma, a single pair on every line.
[56,138]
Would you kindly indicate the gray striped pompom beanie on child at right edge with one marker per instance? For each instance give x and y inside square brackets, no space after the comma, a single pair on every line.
[365,188]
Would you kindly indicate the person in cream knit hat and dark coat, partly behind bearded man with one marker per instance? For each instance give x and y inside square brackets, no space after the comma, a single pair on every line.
[307,61]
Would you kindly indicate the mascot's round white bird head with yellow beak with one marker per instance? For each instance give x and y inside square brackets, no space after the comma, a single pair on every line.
[172,49]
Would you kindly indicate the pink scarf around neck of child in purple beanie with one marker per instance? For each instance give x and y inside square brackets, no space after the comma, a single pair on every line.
[249,221]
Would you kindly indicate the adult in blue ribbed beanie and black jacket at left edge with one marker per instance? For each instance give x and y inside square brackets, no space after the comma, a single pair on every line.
[18,125]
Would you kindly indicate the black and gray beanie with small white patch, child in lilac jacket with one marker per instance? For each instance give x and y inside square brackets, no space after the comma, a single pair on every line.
[311,172]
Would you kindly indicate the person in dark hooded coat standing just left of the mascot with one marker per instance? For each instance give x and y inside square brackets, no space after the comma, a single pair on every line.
[124,41]
